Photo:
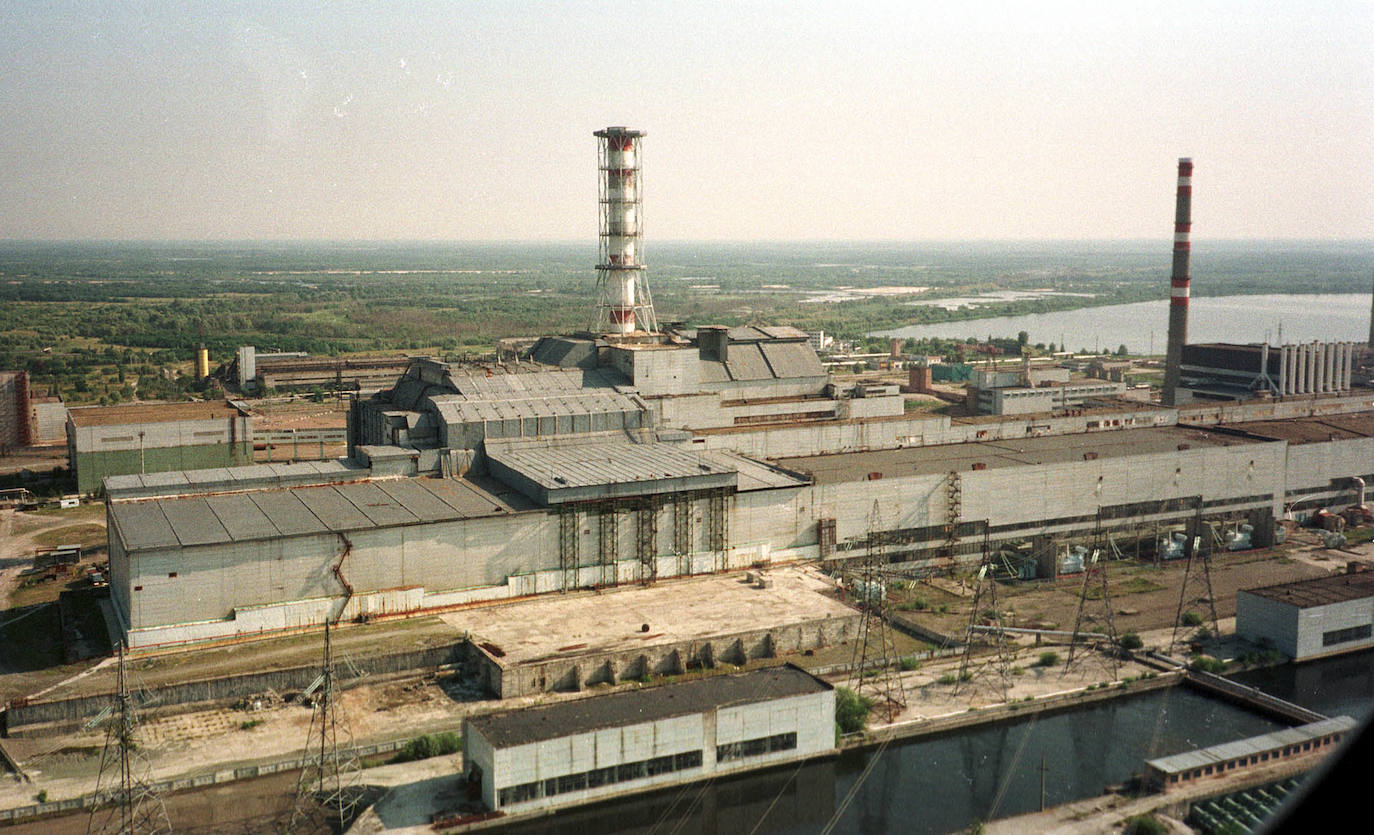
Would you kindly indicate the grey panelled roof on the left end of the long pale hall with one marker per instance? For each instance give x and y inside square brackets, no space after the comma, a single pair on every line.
[186,521]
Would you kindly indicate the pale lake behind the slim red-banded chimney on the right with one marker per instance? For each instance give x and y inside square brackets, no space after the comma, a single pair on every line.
[1144,326]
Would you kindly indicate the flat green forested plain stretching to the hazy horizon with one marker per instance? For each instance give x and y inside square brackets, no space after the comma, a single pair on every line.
[112,322]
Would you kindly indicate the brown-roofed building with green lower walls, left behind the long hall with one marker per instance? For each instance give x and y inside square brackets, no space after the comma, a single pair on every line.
[105,442]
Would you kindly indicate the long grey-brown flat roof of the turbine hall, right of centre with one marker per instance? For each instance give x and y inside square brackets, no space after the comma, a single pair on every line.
[930,461]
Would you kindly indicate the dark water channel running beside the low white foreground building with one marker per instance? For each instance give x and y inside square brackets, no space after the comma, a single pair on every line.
[946,783]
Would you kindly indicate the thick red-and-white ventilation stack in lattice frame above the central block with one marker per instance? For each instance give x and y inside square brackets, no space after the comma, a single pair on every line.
[624,306]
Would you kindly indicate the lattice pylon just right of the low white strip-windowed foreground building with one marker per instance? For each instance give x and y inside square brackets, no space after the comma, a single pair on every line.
[876,650]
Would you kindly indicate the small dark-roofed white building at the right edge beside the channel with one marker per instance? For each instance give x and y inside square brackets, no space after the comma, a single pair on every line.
[1311,619]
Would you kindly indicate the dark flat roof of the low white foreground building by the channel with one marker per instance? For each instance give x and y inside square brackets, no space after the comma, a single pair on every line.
[646,705]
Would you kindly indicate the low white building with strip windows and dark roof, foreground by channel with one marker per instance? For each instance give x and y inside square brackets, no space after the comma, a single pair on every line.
[578,752]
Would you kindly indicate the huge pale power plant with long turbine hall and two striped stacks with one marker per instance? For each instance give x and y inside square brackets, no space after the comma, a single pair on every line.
[631,454]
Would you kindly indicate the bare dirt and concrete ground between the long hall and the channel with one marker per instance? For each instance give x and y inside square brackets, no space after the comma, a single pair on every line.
[1145,599]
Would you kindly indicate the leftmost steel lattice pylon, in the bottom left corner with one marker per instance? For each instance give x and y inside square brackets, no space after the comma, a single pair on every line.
[134,808]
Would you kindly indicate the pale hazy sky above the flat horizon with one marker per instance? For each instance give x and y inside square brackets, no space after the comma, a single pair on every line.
[766,120]
